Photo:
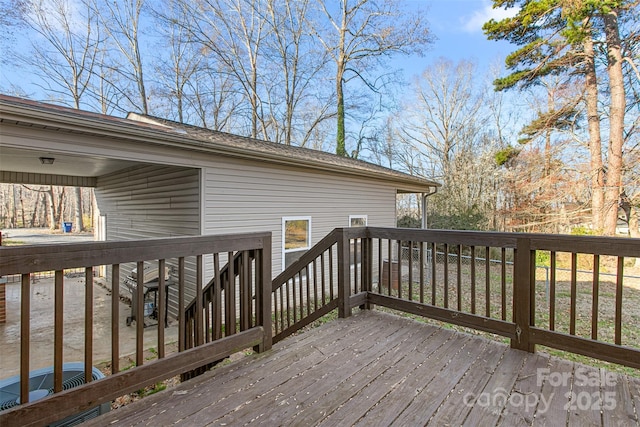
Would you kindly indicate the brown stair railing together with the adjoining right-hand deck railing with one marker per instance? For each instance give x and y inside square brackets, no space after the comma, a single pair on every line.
[492,282]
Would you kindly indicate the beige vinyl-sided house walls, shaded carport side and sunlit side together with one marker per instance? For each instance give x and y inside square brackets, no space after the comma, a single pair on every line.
[238,196]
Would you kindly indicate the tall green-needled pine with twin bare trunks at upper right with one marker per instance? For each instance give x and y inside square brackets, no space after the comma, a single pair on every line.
[557,38]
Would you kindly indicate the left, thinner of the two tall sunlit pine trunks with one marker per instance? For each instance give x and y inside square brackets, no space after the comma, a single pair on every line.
[595,141]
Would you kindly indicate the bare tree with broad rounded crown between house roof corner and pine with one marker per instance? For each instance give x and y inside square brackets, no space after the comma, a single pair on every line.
[457,130]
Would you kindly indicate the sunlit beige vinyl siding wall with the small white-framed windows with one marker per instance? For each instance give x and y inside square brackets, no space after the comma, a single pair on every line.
[242,196]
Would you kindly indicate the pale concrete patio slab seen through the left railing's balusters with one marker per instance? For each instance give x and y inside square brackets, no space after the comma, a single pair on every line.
[42,317]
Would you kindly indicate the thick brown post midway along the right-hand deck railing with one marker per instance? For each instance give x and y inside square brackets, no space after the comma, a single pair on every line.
[523,288]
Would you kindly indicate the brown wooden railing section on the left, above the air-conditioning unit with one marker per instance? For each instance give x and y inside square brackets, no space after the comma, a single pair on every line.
[25,260]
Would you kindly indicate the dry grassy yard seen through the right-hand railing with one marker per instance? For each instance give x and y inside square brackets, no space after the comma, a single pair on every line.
[463,295]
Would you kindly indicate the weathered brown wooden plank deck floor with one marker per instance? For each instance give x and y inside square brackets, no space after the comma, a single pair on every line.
[380,369]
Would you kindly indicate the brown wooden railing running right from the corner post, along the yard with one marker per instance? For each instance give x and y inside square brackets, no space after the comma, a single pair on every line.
[522,327]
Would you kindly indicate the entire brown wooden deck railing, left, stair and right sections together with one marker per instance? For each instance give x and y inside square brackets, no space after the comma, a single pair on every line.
[493,282]
